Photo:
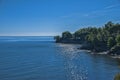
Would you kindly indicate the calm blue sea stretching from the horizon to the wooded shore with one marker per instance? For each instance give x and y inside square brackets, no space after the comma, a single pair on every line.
[39,58]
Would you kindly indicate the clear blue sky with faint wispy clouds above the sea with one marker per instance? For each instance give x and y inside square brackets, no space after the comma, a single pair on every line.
[52,17]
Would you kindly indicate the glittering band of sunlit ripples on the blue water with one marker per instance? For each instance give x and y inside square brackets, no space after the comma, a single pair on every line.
[73,59]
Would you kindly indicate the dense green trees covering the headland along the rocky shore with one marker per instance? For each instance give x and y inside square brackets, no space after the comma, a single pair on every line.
[106,38]
